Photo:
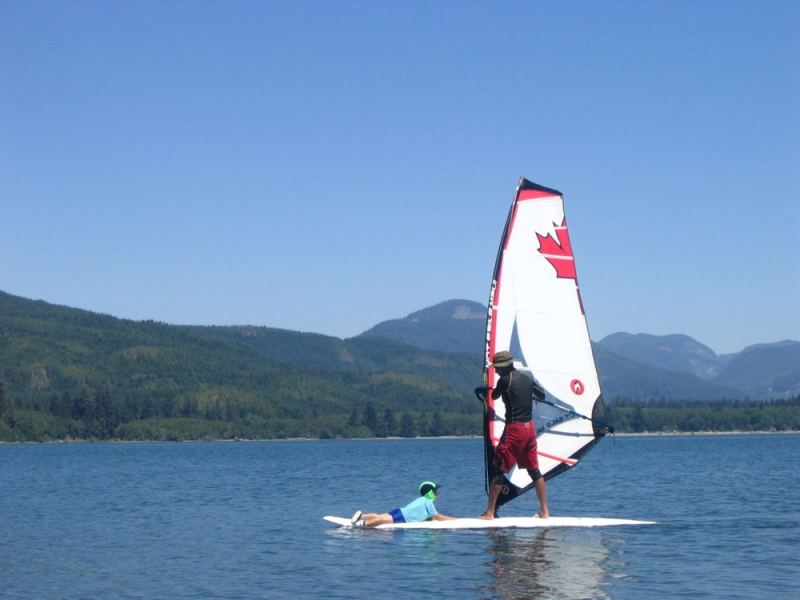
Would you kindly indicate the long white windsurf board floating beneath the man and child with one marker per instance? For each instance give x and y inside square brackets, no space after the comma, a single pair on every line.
[522,522]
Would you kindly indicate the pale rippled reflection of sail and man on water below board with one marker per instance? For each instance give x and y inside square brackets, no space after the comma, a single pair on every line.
[547,563]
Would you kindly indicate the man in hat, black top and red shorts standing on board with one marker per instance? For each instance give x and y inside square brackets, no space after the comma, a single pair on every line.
[518,443]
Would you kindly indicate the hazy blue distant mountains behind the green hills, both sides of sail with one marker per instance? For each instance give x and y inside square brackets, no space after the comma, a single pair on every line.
[634,366]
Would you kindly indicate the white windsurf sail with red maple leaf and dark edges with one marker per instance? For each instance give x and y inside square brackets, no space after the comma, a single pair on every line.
[535,311]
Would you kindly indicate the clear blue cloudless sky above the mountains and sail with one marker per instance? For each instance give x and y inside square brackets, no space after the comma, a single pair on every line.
[323,166]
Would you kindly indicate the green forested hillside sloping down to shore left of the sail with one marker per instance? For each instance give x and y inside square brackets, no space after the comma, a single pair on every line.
[72,373]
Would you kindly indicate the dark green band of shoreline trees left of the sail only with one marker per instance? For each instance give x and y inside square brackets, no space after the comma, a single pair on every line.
[103,415]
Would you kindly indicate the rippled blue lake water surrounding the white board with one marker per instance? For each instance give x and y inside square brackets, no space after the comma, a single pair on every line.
[244,520]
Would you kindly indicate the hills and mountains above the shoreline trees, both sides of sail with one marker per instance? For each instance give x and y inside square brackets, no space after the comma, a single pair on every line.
[435,352]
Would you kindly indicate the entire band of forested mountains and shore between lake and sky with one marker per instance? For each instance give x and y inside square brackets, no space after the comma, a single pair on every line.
[69,373]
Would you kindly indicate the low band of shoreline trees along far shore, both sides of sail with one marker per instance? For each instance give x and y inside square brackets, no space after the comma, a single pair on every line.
[103,414]
